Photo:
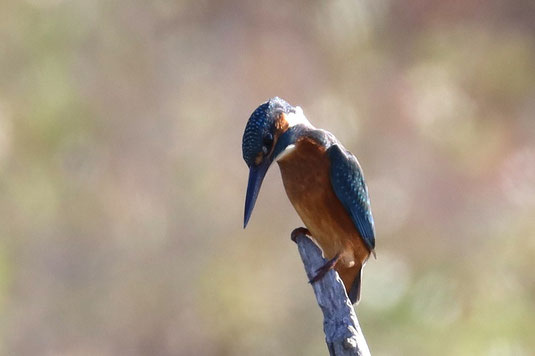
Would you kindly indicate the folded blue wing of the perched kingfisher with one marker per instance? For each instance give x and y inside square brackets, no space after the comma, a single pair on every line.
[349,186]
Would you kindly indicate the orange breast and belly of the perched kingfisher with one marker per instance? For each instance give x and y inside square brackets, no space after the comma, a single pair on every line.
[305,174]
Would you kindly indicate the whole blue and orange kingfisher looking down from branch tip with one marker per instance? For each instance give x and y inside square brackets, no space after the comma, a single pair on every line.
[323,181]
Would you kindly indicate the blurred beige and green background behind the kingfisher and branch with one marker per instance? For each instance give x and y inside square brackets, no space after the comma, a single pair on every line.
[122,180]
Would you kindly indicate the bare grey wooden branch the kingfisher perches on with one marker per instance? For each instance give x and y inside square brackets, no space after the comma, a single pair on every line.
[340,324]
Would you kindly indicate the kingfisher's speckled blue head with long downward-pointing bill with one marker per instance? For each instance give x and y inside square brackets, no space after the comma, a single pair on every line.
[262,143]
